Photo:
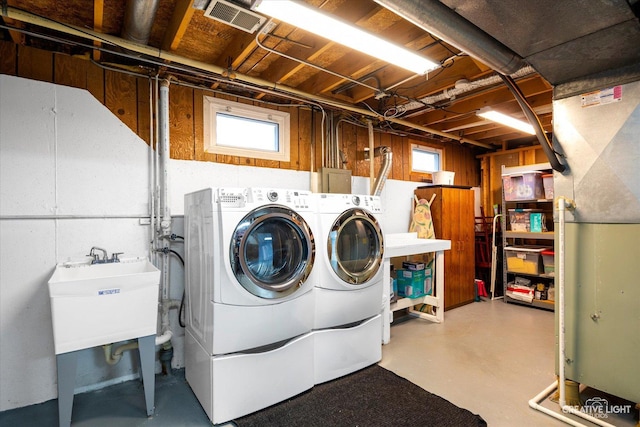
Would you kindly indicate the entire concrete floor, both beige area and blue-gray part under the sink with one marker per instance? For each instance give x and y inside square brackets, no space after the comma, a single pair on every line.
[487,357]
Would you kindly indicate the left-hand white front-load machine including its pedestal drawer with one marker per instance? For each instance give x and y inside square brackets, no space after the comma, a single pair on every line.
[249,303]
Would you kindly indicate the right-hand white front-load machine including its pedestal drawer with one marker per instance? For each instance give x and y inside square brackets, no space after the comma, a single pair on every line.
[349,288]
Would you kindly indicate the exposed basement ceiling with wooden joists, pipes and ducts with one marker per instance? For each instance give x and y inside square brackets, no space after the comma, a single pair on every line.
[551,42]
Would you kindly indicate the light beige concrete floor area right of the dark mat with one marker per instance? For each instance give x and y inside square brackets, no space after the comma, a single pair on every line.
[488,357]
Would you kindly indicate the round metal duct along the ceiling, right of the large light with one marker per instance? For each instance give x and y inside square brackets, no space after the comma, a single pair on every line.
[439,20]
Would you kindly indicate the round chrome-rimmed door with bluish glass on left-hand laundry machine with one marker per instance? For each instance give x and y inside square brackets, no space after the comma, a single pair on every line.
[272,252]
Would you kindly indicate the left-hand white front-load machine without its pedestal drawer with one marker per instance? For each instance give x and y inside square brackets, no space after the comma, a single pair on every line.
[250,253]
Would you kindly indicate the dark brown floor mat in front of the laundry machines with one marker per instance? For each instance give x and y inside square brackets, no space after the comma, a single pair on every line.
[372,396]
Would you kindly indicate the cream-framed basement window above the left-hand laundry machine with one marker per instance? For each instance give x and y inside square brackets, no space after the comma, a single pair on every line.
[235,129]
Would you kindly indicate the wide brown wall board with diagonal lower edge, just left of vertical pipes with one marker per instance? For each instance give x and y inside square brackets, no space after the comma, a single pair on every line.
[121,97]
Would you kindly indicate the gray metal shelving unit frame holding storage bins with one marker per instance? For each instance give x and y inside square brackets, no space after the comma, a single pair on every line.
[509,237]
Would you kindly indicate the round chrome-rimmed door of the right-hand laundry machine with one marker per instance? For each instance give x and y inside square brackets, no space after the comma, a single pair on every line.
[355,246]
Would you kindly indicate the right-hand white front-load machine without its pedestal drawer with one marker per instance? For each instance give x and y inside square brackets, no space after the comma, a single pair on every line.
[350,249]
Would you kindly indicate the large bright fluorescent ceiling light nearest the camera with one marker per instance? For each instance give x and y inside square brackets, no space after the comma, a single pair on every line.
[312,20]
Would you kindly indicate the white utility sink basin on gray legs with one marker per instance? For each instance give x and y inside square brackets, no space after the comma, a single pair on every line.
[96,304]
